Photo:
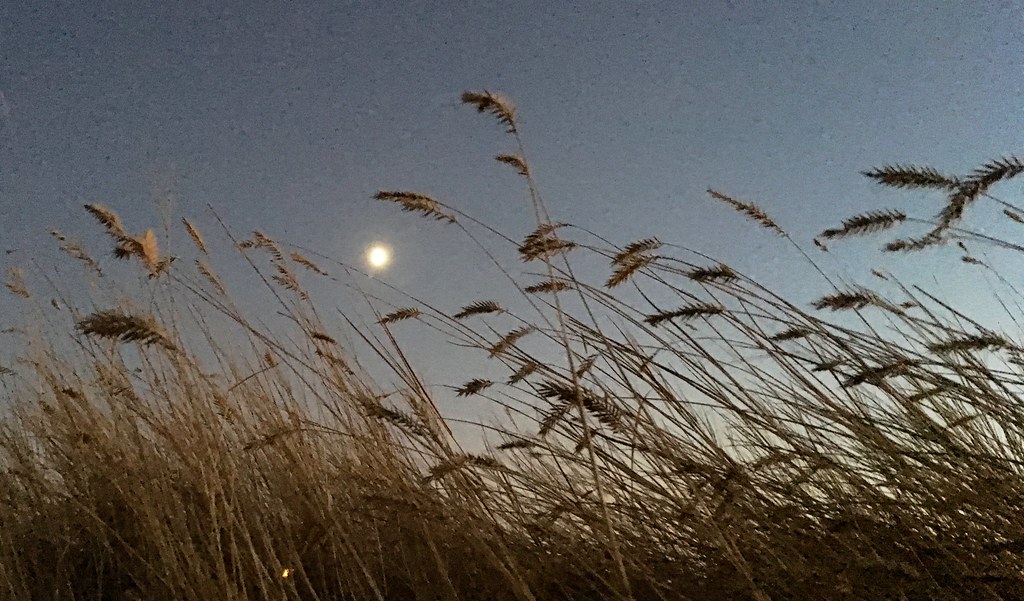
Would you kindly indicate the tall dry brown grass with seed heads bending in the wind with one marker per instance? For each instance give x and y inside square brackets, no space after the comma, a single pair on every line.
[674,431]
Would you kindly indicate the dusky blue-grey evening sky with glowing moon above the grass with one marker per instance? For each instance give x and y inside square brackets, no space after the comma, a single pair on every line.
[288,117]
